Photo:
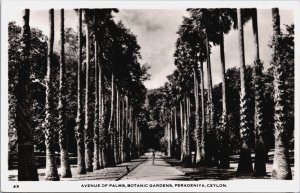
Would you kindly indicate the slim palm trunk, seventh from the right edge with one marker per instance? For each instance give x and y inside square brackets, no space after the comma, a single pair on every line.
[197,114]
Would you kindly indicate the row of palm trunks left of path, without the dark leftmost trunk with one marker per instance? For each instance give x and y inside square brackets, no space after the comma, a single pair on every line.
[112,151]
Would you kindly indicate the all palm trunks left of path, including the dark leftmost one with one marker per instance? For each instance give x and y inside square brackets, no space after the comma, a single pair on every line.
[91,154]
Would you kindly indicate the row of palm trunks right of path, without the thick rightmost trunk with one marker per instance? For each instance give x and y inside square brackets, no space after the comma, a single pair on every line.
[224,149]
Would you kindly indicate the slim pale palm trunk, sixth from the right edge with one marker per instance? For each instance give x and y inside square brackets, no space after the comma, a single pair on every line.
[203,130]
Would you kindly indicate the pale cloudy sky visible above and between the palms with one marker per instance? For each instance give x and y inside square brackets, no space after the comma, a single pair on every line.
[156,34]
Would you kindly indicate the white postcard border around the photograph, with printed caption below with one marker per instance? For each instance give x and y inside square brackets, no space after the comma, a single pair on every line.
[75,186]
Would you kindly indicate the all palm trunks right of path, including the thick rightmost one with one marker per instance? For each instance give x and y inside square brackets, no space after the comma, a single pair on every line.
[245,164]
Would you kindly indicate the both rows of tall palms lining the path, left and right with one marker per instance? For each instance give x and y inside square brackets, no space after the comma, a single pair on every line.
[97,80]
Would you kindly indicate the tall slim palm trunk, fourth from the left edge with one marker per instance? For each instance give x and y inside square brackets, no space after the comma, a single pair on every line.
[79,118]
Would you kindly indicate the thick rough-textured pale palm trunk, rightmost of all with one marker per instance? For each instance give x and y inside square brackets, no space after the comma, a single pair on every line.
[281,163]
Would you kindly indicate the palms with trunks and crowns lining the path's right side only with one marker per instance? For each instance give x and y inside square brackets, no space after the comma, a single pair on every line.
[186,90]
